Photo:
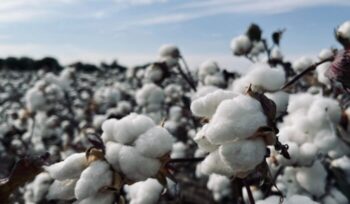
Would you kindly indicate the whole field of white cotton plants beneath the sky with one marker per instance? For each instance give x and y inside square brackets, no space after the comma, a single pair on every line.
[165,132]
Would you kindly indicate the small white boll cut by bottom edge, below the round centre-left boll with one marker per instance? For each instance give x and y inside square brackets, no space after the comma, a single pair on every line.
[146,192]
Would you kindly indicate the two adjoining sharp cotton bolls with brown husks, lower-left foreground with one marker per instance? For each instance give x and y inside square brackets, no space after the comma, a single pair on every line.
[114,162]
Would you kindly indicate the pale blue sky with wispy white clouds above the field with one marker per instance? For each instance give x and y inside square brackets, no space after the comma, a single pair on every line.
[133,30]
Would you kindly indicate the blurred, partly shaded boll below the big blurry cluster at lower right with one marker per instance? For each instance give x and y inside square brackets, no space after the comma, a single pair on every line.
[313,179]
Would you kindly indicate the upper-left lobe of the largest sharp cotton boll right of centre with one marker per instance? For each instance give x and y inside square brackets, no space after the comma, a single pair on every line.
[206,105]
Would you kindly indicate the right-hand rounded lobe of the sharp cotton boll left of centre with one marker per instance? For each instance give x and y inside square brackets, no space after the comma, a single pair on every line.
[154,143]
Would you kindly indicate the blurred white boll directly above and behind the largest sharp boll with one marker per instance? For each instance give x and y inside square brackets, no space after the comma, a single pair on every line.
[259,78]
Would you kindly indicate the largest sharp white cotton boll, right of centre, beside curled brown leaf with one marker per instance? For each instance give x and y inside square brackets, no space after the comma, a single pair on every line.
[233,119]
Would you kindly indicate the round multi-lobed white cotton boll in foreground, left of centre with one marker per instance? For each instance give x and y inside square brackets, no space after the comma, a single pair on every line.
[135,140]
